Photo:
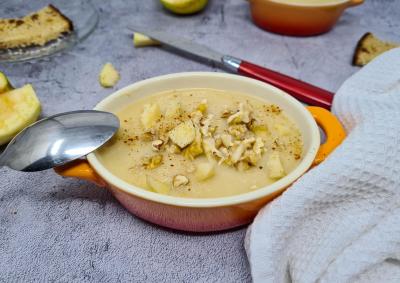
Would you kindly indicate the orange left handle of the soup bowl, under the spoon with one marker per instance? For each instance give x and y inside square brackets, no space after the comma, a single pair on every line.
[80,169]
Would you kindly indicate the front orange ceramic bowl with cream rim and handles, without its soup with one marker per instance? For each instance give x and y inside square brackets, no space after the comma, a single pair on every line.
[209,214]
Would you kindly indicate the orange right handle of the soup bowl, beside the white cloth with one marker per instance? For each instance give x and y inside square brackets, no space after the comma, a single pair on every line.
[334,132]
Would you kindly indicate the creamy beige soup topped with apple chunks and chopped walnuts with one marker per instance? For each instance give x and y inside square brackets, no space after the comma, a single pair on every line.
[202,143]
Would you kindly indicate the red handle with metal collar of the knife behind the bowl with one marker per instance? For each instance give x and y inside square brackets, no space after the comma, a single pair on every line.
[303,91]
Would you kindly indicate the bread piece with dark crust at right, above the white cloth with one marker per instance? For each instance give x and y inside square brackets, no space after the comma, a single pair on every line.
[369,47]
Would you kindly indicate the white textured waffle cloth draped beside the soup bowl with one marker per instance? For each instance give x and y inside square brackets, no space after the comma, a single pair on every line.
[341,221]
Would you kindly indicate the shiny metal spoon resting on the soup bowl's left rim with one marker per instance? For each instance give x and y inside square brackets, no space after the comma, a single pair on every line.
[58,139]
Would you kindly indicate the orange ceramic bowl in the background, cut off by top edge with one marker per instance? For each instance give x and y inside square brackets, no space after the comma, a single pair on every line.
[304,18]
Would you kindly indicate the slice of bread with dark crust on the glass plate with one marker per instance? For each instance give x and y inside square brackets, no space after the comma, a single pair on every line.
[37,28]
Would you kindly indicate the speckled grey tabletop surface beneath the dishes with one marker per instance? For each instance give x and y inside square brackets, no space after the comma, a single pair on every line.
[54,229]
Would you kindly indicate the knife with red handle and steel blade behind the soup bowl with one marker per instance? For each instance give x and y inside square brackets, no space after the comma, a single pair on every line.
[303,91]
